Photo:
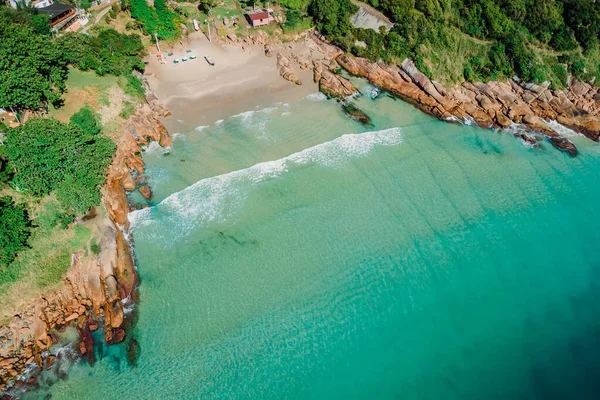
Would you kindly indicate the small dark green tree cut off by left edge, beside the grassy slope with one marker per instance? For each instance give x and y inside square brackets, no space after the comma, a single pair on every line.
[14,231]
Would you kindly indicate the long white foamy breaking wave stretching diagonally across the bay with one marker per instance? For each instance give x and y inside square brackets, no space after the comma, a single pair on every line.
[218,198]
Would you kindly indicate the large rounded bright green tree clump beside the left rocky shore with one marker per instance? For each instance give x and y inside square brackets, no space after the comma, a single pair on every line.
[47,155]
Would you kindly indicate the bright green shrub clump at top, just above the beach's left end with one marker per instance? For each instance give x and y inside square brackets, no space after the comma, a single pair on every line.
[159,20]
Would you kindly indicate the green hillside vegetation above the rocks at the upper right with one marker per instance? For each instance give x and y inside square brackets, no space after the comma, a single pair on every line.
[452,40]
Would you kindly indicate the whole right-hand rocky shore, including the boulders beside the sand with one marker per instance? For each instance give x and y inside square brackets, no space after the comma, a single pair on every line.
[492,105]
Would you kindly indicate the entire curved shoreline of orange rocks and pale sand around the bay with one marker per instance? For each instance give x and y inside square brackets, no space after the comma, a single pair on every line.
[247,75]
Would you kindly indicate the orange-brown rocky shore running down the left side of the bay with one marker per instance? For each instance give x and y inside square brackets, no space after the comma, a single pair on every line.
[97,287]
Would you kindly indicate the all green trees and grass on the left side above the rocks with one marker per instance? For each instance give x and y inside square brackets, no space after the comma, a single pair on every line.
[51,171]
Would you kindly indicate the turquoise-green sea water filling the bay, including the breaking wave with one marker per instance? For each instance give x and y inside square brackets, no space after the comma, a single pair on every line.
[295,254]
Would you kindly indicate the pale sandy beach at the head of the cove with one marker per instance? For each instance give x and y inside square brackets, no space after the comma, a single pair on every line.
[242,79]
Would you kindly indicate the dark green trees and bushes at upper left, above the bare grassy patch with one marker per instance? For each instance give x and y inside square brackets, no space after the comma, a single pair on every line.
[34,67]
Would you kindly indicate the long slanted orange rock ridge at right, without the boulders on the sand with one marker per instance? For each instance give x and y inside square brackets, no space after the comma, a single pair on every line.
[495,104]
